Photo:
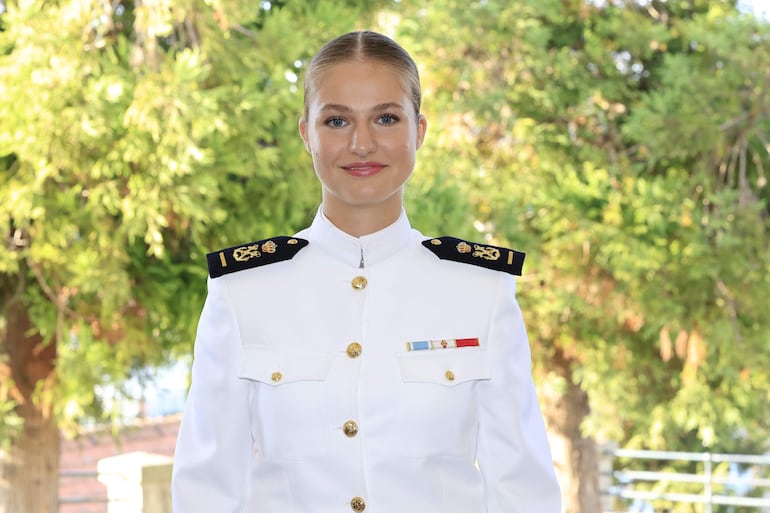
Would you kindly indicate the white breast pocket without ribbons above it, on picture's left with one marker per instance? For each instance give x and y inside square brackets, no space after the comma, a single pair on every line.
[288,401]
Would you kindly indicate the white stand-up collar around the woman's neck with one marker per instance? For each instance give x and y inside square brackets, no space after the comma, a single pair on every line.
[374,247]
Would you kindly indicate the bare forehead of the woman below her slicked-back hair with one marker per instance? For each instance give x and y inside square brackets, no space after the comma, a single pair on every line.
[358,84]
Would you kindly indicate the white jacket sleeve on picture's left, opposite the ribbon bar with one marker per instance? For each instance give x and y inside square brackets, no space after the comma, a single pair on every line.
[213,450]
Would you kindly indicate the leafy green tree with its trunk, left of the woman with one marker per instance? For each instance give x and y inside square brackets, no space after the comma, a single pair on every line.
[135,137]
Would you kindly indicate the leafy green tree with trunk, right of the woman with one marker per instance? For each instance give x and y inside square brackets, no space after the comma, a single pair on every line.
[624,146]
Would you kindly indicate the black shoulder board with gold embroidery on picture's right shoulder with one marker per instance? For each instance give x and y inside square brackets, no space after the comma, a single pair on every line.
[483,255]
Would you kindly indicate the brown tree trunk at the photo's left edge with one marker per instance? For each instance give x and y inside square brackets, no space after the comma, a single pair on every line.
[31,467]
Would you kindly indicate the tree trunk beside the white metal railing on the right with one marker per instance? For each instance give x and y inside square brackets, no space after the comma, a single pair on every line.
[576,457]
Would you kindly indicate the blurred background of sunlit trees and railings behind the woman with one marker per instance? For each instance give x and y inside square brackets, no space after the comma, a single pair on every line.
[624,145]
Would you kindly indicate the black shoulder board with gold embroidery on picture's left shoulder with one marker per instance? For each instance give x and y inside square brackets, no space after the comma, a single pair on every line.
[253,254]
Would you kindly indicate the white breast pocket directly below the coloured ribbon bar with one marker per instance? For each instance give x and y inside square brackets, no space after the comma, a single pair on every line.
[438,409]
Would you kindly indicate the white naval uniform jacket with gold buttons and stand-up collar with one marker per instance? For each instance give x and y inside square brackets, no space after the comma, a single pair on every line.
[455,430]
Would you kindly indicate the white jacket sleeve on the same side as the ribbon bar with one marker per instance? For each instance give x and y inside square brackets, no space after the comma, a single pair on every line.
[513,453]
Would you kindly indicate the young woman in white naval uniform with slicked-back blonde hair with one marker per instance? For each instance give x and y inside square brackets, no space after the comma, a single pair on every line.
[359,365]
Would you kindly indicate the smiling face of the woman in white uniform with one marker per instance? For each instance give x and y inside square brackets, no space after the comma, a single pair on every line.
[363,133]
